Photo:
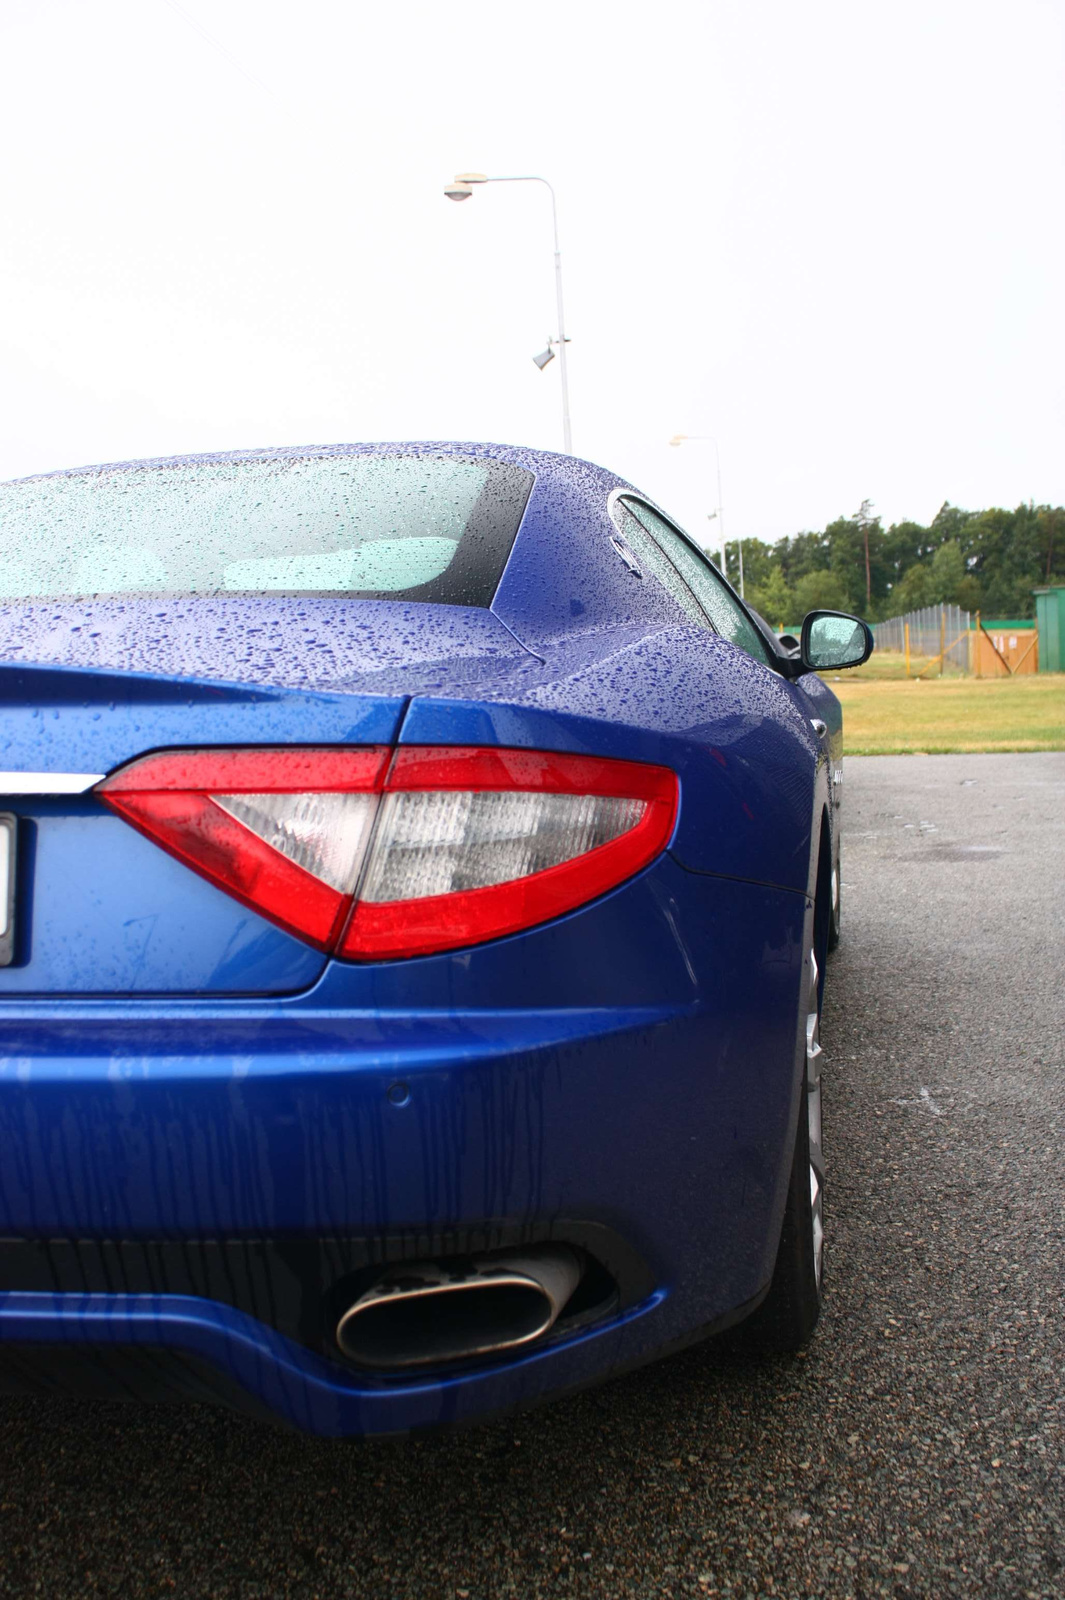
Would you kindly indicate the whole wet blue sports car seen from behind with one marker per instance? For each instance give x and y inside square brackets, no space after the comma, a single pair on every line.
[417,874]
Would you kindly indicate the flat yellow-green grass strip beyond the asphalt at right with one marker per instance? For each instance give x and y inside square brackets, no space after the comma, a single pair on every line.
[951,716]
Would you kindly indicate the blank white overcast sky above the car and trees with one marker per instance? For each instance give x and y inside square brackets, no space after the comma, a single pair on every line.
[829,234]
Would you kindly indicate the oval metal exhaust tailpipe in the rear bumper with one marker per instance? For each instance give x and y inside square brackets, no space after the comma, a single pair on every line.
[429,1313]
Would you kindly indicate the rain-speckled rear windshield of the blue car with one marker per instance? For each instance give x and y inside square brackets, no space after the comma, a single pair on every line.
[370,527]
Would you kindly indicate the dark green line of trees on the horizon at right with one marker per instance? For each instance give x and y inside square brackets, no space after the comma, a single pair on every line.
[983,561]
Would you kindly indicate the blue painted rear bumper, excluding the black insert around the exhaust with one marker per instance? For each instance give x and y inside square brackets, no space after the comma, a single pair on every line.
[664,1121]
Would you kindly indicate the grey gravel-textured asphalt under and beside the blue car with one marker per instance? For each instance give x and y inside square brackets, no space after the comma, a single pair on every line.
[914,1450]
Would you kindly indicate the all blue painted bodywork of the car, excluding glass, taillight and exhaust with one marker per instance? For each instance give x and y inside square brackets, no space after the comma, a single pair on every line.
[636,1063]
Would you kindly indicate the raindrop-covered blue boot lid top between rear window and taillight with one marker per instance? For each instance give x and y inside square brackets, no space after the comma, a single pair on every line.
[241,671]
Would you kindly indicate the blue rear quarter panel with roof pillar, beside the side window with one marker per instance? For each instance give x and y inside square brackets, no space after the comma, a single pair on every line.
[626,674]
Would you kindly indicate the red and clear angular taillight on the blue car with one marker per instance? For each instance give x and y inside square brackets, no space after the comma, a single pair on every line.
[372,855]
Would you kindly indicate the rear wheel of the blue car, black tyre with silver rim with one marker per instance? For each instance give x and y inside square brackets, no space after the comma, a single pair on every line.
[789,1314]
